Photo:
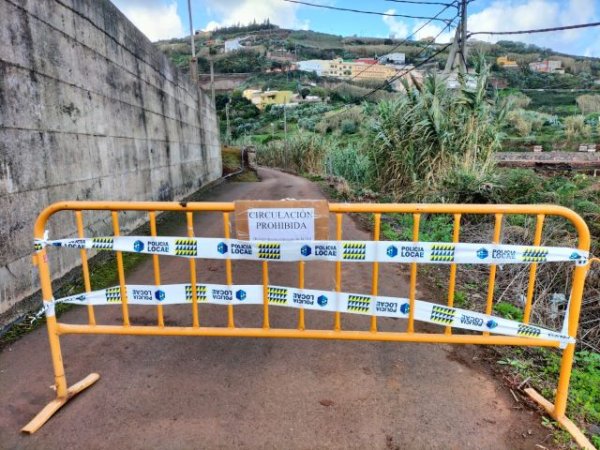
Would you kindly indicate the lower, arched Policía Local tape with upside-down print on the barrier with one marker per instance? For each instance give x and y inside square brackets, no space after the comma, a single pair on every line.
[315,300]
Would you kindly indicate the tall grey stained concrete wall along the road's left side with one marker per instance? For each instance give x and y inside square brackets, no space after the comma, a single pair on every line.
[89,110]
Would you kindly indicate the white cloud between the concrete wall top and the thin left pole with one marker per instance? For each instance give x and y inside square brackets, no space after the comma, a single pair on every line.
[157,19]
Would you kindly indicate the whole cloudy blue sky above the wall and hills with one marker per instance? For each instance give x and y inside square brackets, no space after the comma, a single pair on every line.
[163,19]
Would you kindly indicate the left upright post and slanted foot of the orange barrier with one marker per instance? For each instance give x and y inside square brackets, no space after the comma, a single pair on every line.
[63,393]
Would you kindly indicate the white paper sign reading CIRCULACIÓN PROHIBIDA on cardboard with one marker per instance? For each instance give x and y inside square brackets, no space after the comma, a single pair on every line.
[281,224]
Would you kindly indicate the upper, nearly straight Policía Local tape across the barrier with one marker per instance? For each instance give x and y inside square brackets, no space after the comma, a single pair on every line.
[353,251]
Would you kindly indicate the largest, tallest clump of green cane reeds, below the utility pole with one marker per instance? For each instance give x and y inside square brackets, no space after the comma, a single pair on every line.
[417,139]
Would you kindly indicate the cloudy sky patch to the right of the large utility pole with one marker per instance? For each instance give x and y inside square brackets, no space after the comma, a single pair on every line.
[509,15]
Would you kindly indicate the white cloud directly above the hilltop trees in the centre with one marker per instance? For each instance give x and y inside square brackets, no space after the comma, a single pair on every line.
[245,11]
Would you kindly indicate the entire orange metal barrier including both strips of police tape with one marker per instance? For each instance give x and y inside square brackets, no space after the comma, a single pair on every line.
[486,328]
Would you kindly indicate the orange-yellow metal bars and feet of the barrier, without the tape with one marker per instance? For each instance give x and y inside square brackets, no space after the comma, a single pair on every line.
[55,329]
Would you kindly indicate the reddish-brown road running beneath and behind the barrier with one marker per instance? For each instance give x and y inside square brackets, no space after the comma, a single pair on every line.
[191,393]
